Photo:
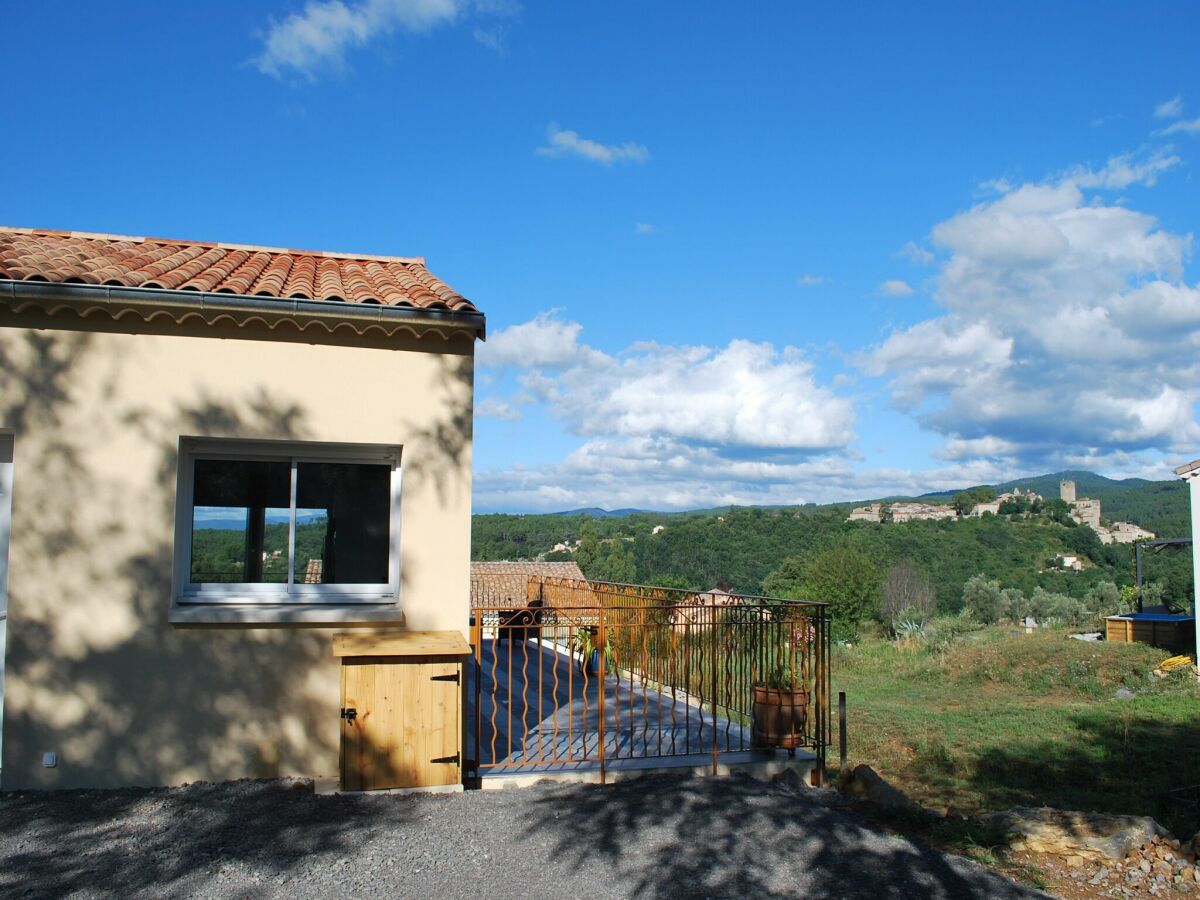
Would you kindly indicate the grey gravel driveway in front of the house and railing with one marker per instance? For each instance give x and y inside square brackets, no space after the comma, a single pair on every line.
[661,836]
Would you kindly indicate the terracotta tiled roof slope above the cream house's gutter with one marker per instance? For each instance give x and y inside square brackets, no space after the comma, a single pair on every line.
[76,257]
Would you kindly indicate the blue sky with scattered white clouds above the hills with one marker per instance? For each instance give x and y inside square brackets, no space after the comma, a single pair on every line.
[730,254]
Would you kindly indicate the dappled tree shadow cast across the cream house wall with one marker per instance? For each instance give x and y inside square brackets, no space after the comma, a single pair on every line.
[94,669]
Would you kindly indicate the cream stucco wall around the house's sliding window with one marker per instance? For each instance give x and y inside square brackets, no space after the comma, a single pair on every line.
[94,670]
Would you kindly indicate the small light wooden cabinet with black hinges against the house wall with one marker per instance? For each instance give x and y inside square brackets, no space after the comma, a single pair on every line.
[401,710]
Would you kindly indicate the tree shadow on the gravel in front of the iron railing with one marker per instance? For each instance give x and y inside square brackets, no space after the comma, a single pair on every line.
[681,837]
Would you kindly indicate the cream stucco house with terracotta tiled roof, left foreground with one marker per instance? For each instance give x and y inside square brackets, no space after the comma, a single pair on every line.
[230,475]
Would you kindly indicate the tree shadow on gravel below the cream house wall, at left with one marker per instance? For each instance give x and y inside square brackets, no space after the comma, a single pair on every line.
[167,843]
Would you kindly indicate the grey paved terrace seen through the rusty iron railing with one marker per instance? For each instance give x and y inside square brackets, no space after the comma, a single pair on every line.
[542,713]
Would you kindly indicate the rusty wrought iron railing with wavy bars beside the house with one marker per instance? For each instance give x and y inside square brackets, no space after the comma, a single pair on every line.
[584,674]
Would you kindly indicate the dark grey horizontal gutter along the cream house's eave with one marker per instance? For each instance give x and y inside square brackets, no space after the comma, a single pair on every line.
[301,309]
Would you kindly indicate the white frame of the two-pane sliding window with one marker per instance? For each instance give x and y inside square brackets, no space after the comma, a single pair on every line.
[187,592]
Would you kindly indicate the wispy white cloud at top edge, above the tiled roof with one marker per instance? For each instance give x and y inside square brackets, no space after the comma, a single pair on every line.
[326,31]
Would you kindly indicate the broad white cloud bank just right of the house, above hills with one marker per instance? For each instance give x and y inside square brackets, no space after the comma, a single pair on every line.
[668,425]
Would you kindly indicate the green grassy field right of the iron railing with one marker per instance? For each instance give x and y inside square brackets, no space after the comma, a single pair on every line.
[995,719]
